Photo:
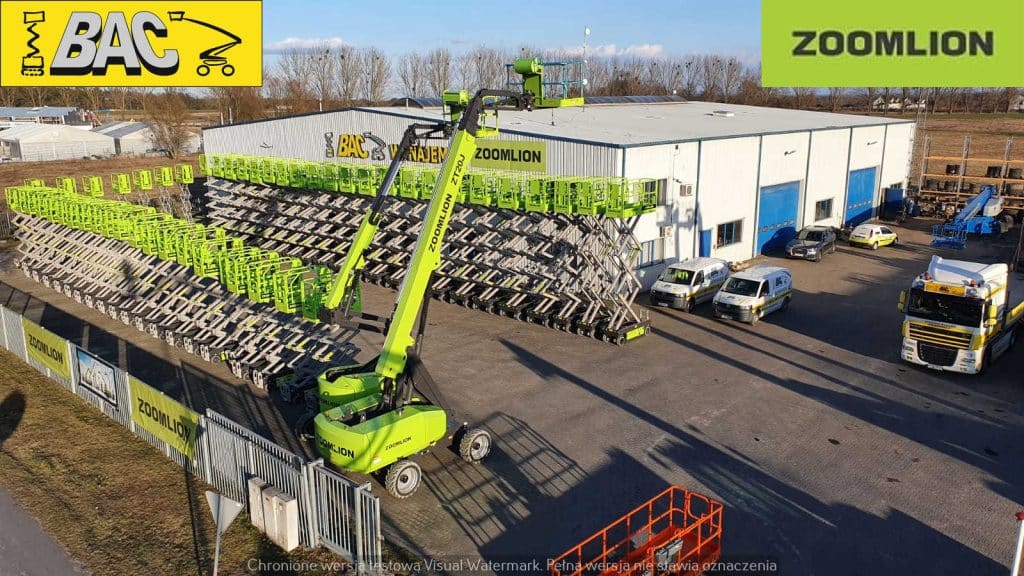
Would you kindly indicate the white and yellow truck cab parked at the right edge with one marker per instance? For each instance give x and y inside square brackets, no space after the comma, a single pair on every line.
[961,316]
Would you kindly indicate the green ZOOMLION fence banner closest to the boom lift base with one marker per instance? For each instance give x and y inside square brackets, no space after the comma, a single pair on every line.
[163,418]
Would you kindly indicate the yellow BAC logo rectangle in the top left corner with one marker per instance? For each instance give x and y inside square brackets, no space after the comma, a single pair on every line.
[143,44]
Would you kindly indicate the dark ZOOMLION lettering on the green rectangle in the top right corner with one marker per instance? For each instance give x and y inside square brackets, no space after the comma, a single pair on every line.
[894,44]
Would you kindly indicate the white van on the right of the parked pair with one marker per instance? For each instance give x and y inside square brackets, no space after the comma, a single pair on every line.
[757,292]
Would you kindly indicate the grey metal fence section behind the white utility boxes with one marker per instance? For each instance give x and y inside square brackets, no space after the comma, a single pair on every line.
[237,455]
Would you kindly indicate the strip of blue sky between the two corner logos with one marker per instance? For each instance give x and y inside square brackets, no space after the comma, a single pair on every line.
[645,27]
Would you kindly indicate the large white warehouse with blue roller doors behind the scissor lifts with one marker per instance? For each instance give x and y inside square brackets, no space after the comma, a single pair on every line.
[737,180]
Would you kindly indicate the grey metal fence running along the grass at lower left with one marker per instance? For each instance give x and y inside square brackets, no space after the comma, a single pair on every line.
[334,512]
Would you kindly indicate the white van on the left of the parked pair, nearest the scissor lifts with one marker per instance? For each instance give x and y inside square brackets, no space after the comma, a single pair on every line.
[686,284]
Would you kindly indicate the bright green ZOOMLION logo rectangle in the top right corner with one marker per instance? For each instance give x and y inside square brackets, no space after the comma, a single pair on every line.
[809,44]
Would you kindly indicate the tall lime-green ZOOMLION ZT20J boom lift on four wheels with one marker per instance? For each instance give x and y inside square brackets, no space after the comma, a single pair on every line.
[376,416]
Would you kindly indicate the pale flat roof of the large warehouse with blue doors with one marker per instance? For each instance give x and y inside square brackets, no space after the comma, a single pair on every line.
[637,125]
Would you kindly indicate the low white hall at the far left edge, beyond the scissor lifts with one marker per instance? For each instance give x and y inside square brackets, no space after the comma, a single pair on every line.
[33,142]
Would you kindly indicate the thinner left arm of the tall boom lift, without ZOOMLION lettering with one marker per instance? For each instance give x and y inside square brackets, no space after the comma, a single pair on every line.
[345,290]
